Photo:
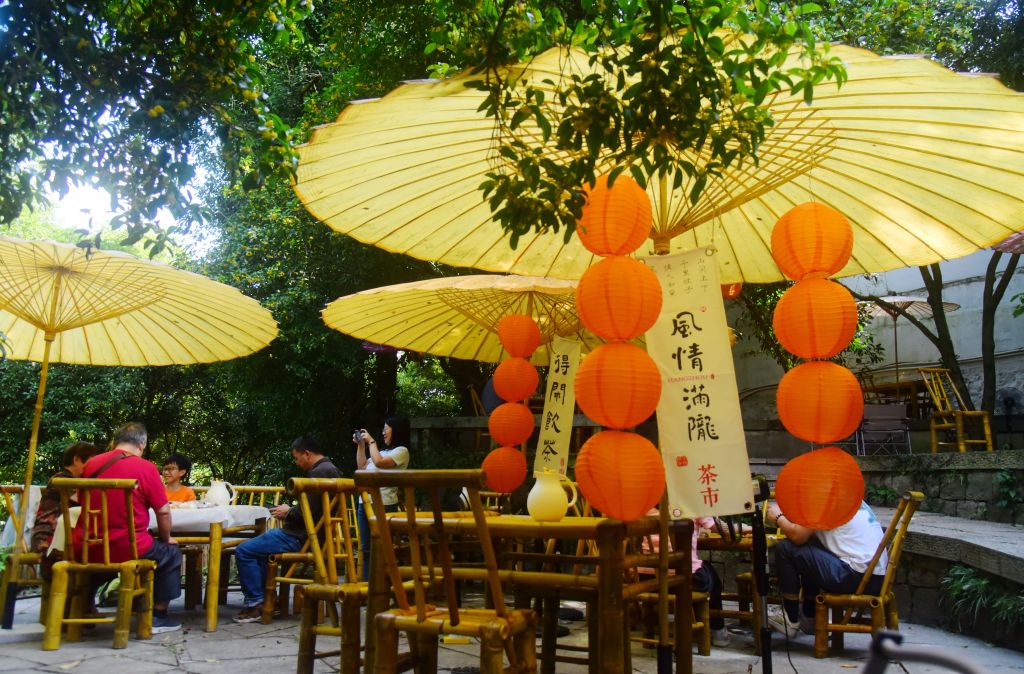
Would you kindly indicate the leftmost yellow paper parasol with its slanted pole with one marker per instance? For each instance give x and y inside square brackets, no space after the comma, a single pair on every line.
[60,305]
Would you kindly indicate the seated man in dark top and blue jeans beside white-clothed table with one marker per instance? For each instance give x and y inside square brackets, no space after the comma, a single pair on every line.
[251,557]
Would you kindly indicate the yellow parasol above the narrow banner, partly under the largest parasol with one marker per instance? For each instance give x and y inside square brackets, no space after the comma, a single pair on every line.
[457,317]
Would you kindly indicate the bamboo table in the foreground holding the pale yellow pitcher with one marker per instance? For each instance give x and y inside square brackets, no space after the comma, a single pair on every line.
[611,654]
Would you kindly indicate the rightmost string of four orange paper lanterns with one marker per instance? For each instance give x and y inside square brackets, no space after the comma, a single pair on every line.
[819,401]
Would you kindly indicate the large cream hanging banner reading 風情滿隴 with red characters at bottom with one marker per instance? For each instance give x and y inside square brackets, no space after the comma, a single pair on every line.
[701,431]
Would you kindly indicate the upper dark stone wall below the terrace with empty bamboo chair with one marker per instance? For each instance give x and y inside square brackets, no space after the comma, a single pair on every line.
[973,485]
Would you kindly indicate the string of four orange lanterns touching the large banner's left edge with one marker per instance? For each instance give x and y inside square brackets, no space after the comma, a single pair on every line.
[618,385]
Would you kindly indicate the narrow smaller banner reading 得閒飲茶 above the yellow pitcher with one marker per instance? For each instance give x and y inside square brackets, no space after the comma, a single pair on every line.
[560,403]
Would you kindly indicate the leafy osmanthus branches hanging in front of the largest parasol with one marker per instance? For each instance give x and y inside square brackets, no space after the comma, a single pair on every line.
[674,90]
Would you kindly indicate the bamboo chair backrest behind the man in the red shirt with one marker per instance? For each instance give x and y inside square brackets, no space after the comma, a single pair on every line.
[97,498]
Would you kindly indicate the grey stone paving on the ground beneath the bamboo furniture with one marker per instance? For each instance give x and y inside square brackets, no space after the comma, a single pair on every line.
[272,649]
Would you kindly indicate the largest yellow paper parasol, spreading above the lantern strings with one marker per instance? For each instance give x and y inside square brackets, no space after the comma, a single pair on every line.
[925,162]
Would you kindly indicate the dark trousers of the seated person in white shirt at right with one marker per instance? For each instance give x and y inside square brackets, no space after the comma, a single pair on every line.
[812,568]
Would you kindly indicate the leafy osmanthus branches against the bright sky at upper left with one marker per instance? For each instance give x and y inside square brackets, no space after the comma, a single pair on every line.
[114,94]
